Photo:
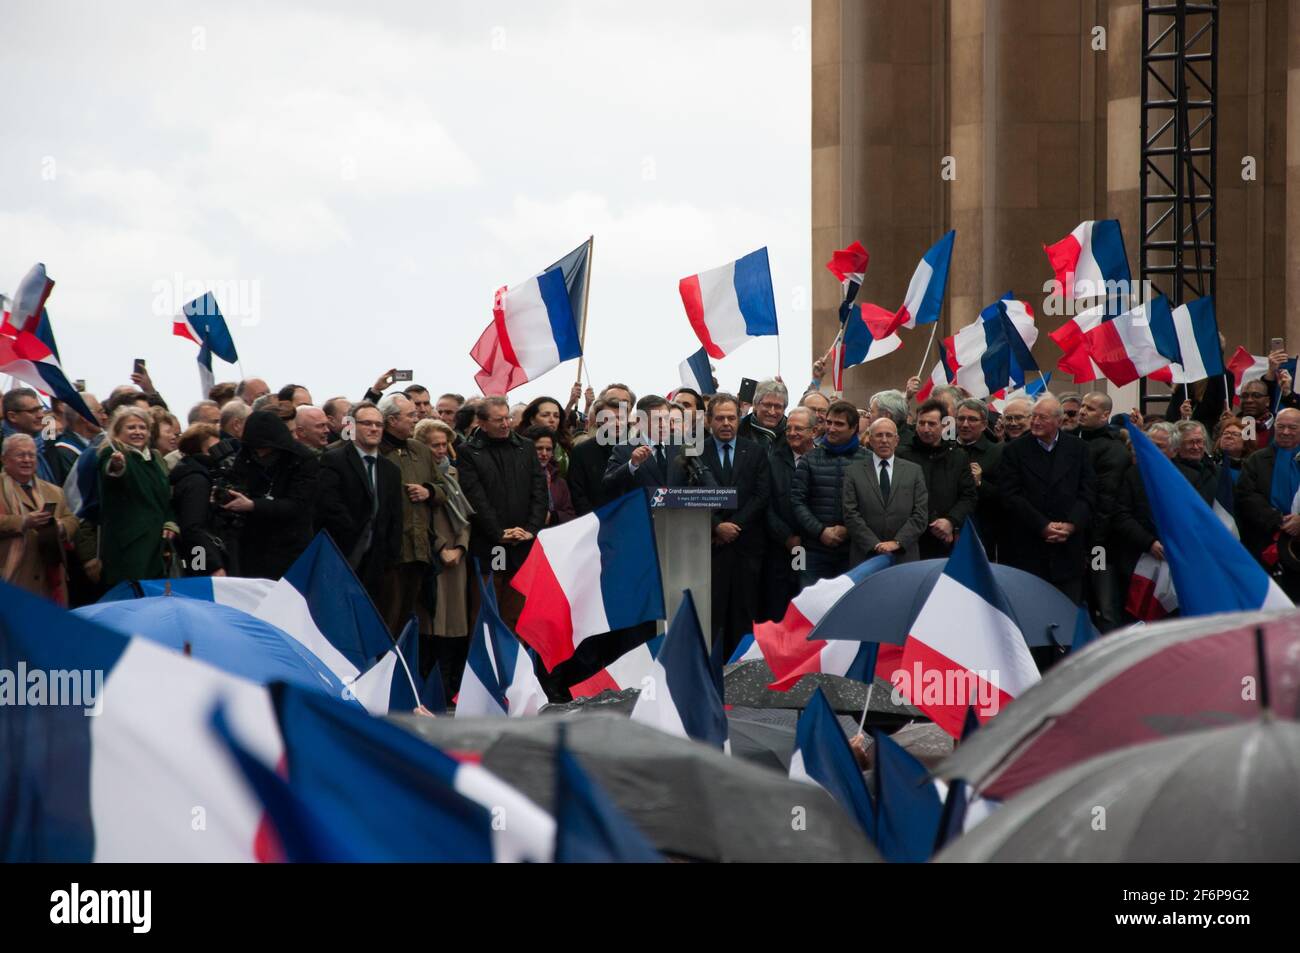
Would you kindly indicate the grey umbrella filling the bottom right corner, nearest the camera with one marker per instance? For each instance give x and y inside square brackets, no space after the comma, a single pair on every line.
[1220,796]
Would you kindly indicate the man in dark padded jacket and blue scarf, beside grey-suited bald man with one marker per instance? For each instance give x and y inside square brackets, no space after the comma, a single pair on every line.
[817,495]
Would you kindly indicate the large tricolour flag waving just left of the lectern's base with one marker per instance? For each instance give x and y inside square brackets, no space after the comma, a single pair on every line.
[588,577]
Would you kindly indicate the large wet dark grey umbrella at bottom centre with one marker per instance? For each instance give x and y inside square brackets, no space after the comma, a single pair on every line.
[691,800]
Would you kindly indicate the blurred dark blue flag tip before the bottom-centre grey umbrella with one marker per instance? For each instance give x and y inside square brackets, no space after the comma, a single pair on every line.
[590,828]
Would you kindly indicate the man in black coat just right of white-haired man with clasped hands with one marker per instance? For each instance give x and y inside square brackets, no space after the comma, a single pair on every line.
[1110,457]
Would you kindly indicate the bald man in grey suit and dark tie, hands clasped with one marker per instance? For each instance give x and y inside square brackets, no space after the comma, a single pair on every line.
[886,505]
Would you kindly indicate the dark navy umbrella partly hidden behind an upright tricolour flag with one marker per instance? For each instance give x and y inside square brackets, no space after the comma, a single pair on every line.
[878,609]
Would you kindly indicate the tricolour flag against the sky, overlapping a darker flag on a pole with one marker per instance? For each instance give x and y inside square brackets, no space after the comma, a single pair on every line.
[532,332]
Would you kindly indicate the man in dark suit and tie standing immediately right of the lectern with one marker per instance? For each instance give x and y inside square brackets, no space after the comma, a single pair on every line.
[738,560]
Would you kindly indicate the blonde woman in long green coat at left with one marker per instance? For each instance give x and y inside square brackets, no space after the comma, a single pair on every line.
[136,501]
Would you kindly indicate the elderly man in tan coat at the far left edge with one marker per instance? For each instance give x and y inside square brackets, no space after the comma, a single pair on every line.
[34,523]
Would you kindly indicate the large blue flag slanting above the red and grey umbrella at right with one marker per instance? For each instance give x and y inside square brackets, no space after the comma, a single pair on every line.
[1212,571]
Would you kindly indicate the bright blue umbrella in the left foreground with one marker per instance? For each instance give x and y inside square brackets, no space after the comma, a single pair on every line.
[222,636]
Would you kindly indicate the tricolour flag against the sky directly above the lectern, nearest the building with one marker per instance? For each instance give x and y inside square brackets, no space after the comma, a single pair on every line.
[731,305]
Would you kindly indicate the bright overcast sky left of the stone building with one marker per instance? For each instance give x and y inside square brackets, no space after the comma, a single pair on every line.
[362,177]
